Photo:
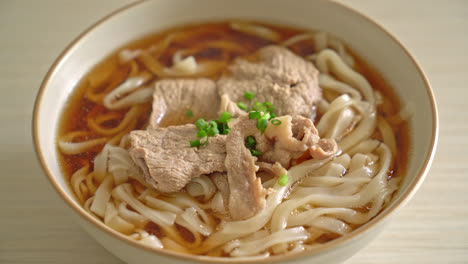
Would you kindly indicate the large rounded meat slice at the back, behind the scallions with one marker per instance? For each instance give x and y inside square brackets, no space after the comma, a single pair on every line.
[276,75]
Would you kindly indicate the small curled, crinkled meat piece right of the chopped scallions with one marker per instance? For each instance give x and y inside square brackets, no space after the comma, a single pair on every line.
[291,139]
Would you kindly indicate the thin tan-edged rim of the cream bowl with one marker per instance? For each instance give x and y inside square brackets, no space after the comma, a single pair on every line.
[182,256]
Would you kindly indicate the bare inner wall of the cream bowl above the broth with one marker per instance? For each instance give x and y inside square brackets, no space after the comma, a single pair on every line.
[372,43]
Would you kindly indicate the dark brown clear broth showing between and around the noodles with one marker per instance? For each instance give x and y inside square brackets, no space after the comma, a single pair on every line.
[79,108]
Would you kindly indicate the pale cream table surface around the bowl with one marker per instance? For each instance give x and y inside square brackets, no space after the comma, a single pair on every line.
[35,227]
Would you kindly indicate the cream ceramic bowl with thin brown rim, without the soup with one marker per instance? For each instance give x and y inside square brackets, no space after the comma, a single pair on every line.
[369,40]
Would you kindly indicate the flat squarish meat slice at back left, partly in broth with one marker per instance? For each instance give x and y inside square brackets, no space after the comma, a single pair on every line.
[173,98]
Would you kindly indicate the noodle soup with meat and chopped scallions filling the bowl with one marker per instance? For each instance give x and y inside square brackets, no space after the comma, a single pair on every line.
[234,139]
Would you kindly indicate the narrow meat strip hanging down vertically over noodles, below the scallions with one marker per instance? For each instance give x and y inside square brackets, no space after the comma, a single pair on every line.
[246,193]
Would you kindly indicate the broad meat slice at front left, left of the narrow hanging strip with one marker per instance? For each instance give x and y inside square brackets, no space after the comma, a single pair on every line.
[168,161]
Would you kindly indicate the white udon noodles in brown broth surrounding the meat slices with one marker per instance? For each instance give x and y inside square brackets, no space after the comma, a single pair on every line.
[323,199]
